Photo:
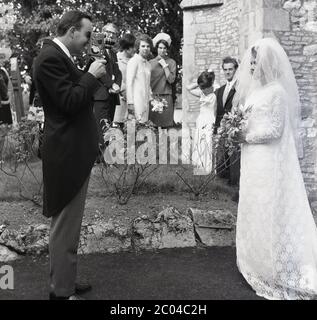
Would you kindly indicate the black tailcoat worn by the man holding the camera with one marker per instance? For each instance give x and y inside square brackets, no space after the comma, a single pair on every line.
[70,143]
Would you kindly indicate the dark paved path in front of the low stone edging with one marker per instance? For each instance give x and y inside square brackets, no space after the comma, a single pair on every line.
[181,274]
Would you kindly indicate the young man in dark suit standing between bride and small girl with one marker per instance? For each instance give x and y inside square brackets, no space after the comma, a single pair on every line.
[225,96]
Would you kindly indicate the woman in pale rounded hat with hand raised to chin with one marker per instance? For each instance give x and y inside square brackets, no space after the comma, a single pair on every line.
[163,75]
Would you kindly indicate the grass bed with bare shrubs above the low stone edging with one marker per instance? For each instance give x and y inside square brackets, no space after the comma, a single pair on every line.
[160,190]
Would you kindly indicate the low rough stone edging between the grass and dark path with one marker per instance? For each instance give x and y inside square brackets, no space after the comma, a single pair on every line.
[170,229]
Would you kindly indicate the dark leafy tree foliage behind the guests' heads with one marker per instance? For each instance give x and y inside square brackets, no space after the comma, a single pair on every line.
[38,18]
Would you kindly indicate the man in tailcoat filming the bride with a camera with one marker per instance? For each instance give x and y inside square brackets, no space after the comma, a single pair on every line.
[70,144]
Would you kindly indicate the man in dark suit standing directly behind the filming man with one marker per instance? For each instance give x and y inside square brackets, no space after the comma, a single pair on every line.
[107,96]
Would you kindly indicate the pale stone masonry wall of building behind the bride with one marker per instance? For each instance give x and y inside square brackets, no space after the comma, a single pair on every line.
[214,29]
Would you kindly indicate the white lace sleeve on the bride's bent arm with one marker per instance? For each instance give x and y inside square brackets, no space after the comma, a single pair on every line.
[269,123]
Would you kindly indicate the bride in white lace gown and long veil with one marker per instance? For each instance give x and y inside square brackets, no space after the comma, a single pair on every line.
[276,234]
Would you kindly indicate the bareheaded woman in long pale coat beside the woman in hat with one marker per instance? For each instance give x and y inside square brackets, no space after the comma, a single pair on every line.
[139,91]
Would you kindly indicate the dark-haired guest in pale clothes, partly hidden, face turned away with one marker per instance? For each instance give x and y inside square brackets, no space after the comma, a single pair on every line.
[127,50]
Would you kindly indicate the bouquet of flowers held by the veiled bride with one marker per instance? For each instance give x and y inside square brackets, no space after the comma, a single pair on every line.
[231,123]
